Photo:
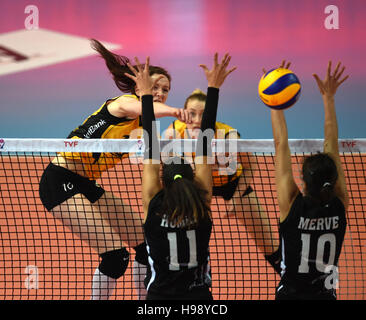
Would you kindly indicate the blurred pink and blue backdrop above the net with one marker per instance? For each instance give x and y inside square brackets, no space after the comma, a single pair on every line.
[178,35]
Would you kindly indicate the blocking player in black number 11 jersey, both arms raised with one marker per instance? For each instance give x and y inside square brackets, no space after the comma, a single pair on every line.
[177,212]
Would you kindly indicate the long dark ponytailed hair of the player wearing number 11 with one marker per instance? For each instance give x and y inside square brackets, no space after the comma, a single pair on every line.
[184,201]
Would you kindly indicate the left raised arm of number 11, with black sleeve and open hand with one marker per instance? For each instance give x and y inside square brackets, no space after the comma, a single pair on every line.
[151,184]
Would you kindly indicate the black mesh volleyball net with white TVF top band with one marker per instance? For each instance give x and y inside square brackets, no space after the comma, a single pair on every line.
[42,258]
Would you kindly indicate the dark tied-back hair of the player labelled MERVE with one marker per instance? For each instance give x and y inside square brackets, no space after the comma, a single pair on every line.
[320,175]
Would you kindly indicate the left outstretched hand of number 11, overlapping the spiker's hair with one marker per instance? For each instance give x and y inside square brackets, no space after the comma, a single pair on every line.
[142,77]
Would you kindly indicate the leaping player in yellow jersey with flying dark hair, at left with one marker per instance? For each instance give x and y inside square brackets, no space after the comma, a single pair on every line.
[68,187]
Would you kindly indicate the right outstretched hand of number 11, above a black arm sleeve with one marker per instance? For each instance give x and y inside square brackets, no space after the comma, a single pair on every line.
[217,75]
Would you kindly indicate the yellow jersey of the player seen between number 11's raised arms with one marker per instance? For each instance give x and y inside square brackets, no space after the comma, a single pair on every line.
[222,130]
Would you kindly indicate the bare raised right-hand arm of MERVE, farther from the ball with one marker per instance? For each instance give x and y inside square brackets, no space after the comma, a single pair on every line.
[328,88]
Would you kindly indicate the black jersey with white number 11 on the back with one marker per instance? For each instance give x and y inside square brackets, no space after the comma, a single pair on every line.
[178,256]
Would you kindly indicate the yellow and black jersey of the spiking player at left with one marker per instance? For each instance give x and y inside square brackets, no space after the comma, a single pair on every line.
[102,125]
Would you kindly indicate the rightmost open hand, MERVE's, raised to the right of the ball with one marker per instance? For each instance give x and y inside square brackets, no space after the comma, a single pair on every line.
[329,86]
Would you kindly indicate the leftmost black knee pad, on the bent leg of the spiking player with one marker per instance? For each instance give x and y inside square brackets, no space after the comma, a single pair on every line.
[114,263]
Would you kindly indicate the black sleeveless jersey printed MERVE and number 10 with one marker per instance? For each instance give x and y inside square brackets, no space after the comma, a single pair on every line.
[311,242]
